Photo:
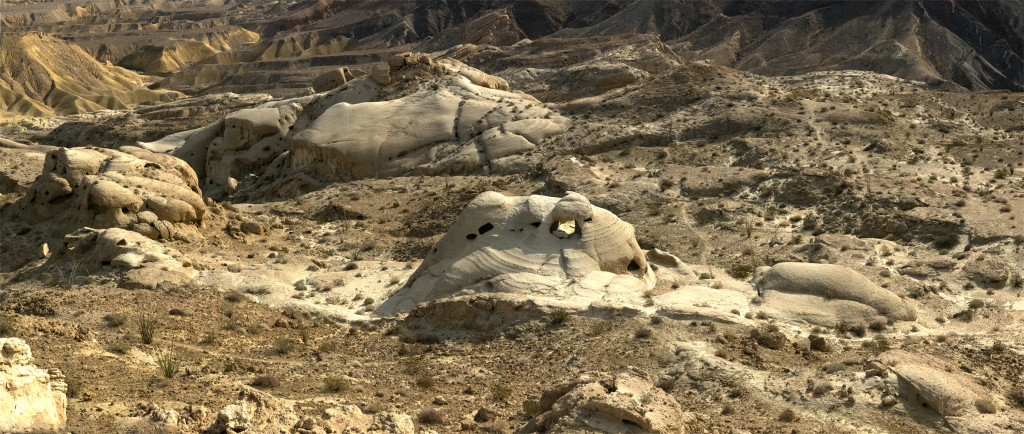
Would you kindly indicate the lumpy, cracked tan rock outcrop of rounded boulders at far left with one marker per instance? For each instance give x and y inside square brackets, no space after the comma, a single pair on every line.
[155,195]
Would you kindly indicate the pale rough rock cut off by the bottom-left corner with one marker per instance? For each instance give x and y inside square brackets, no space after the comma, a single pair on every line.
[31,400]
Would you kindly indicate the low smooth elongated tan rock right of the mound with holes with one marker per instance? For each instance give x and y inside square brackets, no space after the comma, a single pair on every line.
[828,295]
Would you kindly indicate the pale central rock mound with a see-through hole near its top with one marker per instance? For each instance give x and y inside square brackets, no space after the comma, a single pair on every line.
[562,249]
